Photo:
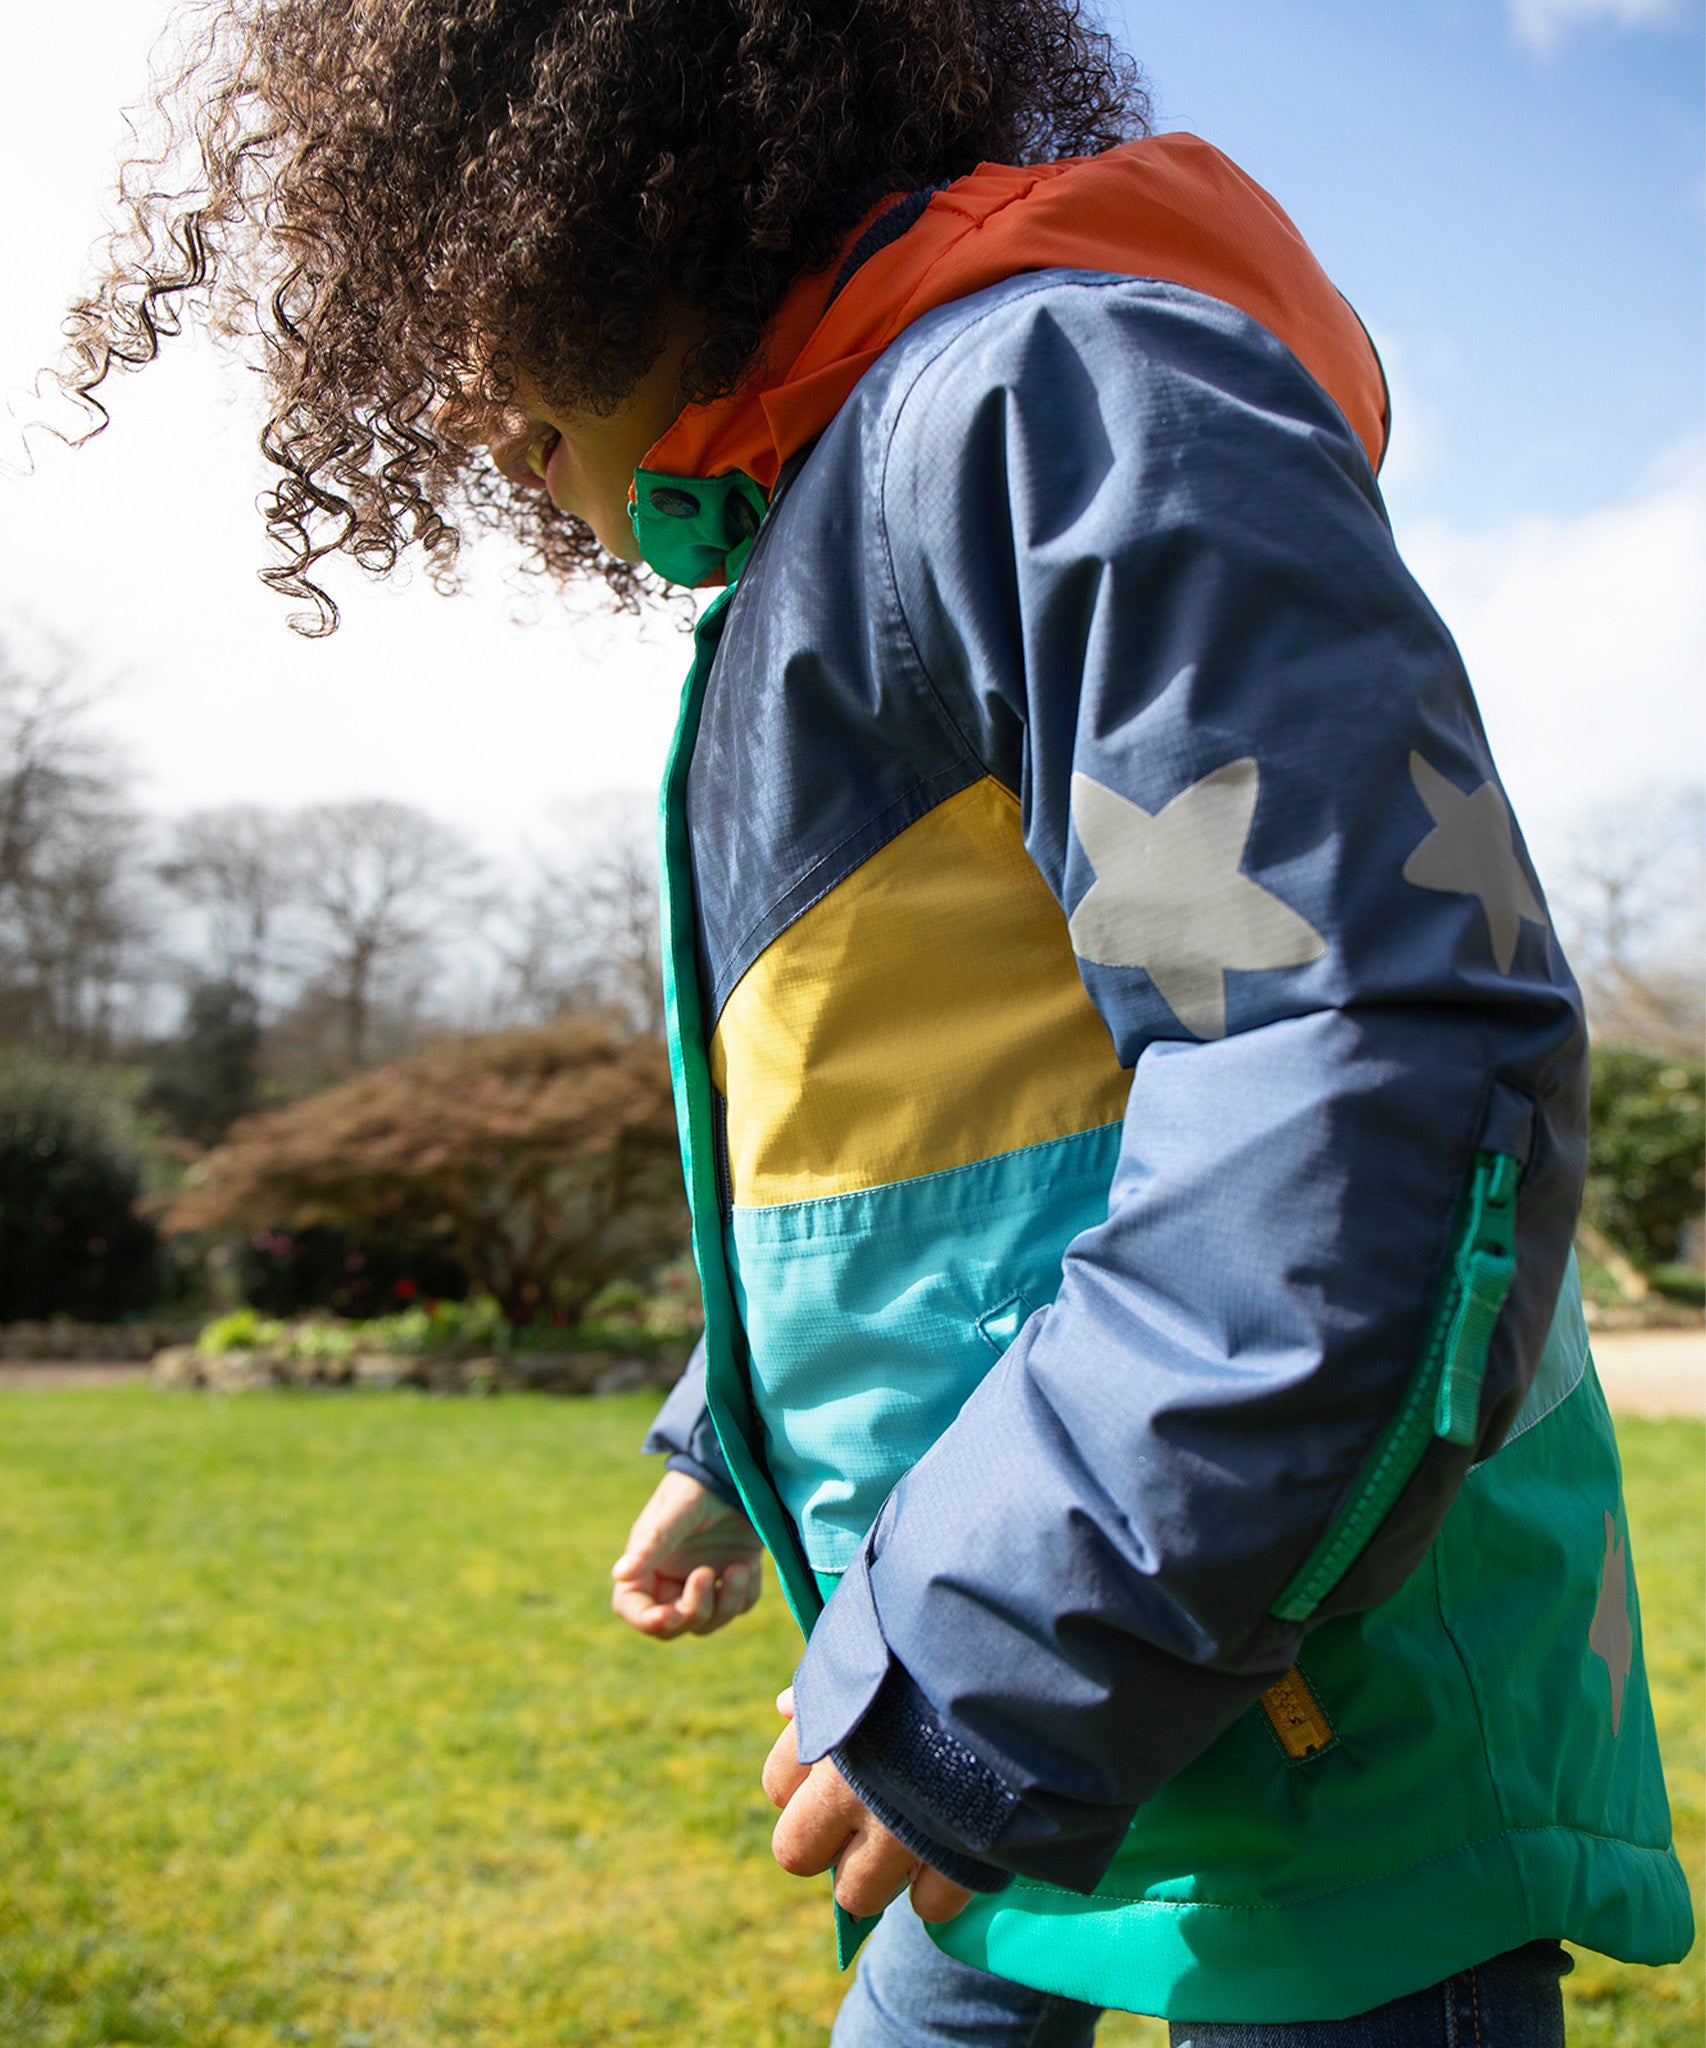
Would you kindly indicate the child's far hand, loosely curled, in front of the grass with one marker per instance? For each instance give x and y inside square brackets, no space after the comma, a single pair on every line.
[693,1564]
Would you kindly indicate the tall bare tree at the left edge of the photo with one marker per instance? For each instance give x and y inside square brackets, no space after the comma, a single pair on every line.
[75,916]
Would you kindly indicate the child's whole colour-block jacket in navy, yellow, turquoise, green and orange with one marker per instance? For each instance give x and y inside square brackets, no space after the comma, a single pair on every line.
[1134,1115]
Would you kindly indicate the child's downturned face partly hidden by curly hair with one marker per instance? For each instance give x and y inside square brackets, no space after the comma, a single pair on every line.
[587,460]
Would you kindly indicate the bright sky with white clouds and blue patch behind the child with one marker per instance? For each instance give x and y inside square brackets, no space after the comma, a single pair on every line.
[1510,194]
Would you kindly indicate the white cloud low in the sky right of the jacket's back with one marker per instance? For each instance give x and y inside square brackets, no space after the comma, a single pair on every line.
[1586,642]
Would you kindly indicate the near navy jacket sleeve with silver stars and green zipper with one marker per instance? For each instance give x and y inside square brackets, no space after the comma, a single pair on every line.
[1146,570]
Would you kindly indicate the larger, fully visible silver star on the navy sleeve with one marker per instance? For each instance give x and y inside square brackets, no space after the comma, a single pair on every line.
[1170,898]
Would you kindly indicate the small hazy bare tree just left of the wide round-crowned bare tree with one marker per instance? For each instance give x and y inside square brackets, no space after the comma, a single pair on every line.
[241,867]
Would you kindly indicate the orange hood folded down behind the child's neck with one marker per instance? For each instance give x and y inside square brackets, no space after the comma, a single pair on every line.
[1168,208]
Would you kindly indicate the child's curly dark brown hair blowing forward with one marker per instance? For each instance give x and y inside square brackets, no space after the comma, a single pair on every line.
[400,204]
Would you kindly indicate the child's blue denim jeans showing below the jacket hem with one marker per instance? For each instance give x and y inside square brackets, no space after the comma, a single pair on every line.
[910,1996]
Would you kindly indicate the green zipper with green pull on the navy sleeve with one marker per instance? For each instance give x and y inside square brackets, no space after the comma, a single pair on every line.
[1445,1394]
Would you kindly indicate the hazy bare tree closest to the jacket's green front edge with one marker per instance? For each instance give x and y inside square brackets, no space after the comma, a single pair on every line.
[585,929]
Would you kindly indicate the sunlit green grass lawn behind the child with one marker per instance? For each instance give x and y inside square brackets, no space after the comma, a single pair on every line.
[314,1727]
